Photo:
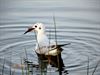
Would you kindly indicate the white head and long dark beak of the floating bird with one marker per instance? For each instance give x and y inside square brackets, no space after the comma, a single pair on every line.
[37,27]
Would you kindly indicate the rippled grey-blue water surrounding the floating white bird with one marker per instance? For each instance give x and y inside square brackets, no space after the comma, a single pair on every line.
[78,22]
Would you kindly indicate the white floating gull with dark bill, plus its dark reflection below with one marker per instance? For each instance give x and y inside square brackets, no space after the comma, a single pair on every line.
[47,50]
